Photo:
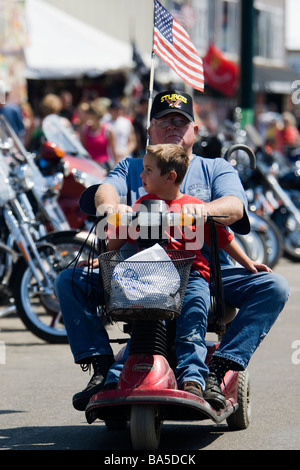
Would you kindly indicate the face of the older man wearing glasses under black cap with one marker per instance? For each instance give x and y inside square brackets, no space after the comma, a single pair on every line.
[173,128]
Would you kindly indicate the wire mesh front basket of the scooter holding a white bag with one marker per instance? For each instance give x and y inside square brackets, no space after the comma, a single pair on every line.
[144,290]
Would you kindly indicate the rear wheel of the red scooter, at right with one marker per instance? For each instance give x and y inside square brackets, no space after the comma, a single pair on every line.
[241,418]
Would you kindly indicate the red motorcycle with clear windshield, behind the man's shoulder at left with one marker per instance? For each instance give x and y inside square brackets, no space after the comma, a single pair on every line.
[63,153]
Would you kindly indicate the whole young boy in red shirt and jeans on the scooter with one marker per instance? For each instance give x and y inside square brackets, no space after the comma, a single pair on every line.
[164,169]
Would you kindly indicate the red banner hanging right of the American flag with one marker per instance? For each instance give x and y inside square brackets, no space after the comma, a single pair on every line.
[220,73]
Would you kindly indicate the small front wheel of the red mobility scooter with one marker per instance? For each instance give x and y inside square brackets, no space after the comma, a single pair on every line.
[145,424]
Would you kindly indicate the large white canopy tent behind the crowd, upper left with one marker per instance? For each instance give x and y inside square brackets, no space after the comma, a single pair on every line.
[61,46]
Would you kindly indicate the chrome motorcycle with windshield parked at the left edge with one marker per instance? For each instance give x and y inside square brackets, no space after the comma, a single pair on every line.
[31,253]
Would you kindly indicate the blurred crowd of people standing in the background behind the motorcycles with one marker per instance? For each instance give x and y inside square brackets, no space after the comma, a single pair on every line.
[113,129]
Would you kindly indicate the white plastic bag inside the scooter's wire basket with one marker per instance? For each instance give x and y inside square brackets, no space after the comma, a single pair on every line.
[146,287]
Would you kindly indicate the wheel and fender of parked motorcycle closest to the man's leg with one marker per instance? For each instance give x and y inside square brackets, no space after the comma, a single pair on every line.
[40,312]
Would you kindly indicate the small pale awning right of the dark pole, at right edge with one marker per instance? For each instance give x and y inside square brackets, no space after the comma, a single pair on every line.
[274,79]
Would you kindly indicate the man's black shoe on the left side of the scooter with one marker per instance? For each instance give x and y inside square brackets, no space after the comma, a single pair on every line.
[101,365]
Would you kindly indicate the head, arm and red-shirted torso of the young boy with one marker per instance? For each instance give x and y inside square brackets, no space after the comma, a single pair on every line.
[164,168]
